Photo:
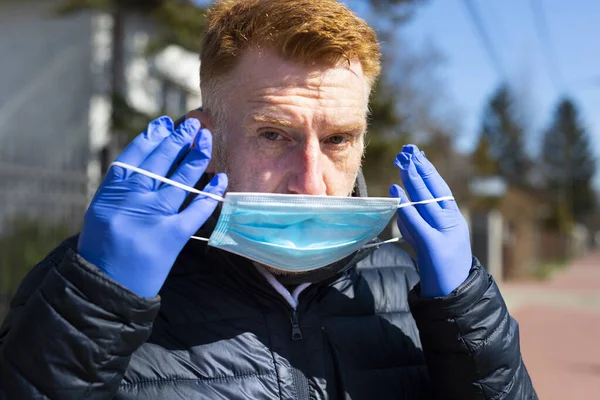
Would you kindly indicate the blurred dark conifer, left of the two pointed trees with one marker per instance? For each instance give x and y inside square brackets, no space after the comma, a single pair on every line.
[501,146]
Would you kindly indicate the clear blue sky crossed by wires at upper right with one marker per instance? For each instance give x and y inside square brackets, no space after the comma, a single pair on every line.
[470,77]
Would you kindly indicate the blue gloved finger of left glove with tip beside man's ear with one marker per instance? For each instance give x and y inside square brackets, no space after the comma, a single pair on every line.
[190,170]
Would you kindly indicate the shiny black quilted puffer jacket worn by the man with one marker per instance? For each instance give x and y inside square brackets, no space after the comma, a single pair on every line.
[220,331]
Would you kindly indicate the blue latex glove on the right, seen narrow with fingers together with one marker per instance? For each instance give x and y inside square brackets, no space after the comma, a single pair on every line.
[438,232]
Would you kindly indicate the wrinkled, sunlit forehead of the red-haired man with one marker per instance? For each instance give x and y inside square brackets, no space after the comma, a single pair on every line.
[266,88]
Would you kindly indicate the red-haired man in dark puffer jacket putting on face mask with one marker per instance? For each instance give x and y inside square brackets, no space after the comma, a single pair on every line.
[130,309]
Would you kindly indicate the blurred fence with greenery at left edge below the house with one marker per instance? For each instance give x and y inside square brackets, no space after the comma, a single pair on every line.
[40,208]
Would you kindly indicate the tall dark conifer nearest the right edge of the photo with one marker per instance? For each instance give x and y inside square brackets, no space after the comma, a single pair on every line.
[568,164]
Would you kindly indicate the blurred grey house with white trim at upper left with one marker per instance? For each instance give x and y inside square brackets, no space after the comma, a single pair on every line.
[55,105]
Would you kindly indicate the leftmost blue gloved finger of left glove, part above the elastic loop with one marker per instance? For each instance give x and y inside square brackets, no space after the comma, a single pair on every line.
[145,143]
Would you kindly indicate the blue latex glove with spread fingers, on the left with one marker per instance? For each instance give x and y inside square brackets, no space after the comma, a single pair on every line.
[133,230]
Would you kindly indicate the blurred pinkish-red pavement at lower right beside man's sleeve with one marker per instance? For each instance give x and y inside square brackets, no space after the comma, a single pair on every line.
[559,324]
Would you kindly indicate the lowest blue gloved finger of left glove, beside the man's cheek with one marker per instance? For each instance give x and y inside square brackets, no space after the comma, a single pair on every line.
[202,207]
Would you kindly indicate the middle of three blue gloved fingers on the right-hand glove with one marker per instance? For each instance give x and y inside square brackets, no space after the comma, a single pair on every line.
[416,189]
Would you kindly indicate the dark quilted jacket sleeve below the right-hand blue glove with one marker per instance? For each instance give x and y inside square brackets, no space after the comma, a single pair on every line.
[471,343]
